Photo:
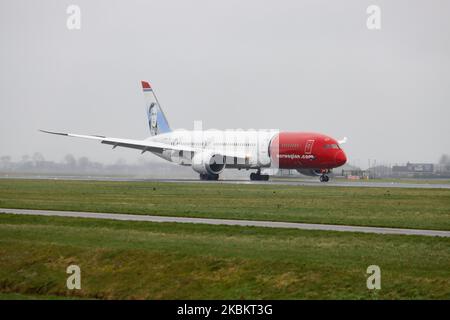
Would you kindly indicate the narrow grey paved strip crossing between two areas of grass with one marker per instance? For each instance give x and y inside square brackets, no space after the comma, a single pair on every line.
[229,222]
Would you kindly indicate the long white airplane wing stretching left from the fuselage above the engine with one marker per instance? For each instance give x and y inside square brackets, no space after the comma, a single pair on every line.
[145,145]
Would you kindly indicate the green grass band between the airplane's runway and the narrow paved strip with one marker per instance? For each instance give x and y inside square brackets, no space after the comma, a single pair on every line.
[394,207]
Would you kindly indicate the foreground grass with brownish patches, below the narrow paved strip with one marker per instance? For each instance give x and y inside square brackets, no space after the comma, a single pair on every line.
[141,260]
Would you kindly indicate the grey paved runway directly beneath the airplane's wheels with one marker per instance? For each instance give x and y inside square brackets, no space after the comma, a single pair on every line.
[274,181]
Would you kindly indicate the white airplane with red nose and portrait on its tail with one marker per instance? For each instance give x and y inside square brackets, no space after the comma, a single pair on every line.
[210,152]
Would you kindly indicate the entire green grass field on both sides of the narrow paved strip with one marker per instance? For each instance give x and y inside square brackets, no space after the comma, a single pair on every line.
[141,260]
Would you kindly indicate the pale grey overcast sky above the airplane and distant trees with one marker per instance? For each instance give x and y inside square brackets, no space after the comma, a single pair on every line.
[288,65]
